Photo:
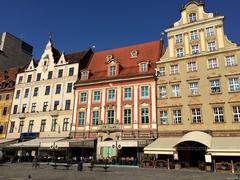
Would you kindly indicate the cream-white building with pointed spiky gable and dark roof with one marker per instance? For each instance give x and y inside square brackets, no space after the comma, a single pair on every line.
[44,96]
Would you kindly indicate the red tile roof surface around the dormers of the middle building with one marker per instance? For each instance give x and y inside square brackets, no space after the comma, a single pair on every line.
[129,67]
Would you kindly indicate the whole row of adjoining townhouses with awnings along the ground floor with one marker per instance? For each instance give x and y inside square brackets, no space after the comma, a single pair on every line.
[181,102]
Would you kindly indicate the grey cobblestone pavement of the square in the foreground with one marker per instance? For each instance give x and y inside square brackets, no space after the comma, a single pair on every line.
[46,172]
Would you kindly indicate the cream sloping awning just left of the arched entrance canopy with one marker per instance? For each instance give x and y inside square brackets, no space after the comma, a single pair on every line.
[163,145]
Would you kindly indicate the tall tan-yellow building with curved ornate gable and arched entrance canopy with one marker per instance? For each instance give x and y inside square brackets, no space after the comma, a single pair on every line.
[198,89]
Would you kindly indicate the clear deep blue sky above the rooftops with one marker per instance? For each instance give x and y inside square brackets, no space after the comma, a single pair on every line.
[77,24]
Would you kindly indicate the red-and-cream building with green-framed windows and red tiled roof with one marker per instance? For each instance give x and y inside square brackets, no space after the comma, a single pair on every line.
[116,100]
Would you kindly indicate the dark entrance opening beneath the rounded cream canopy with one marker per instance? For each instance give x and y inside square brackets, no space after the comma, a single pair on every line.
[191,153]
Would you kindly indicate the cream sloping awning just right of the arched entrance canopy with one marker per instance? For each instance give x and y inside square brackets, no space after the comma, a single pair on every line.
[225,146]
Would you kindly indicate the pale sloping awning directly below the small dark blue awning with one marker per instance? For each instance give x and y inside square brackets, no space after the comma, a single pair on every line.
[39,142]
